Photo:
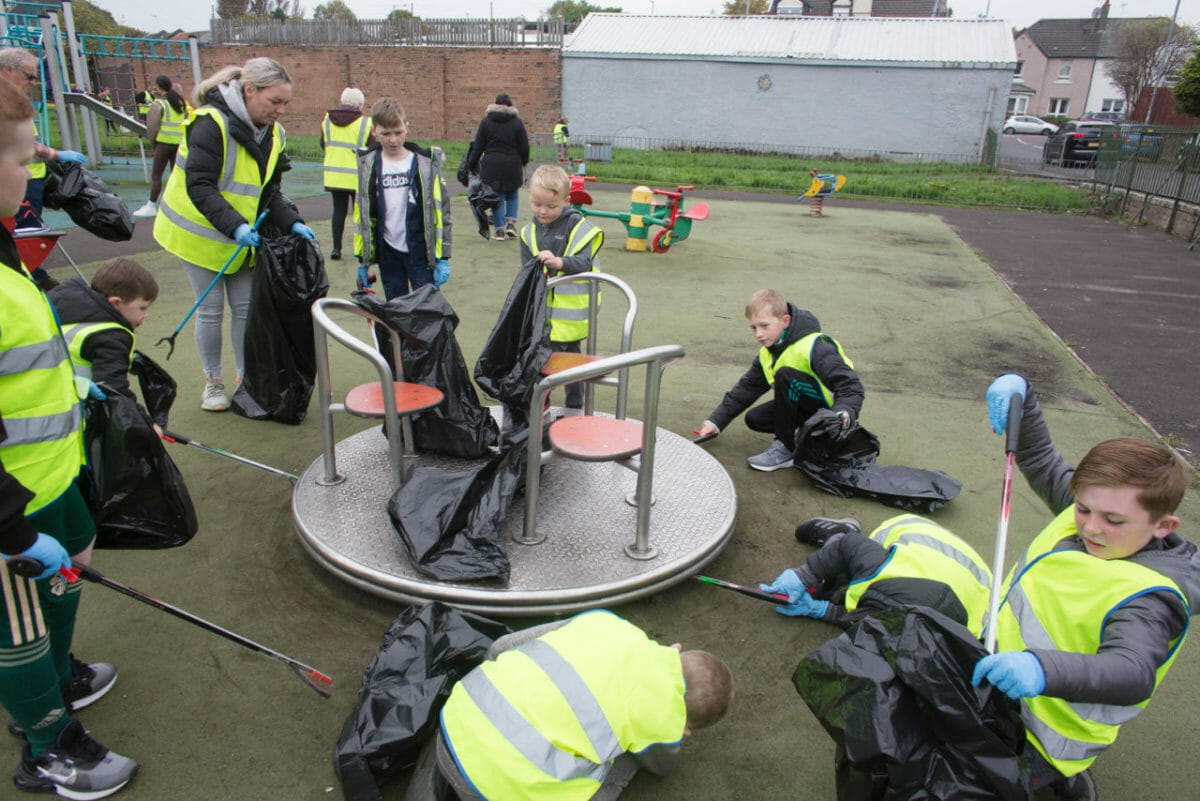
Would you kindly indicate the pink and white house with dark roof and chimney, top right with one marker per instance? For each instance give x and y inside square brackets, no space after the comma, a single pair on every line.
[1060,67]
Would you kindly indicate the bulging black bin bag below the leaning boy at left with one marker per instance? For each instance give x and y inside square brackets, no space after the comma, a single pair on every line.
[137,495]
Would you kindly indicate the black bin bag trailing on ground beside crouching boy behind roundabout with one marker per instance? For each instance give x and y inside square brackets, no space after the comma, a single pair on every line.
[843,463]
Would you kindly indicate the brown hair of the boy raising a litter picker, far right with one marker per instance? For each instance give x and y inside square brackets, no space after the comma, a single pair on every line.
[1160,474]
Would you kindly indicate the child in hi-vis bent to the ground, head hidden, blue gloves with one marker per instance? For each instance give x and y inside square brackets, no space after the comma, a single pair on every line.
[908,561]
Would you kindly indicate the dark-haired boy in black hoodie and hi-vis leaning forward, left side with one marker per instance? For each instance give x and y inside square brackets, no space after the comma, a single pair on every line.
[99,321]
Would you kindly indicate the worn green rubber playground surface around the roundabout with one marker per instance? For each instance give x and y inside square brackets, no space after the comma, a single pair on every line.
[928,326]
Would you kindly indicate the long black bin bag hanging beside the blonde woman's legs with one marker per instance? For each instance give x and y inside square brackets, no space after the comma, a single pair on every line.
[281,363]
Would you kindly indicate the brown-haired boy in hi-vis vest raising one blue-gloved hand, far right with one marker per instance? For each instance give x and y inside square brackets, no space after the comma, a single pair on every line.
[1096,609]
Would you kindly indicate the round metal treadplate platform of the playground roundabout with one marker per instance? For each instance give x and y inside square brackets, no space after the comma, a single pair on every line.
[583,510]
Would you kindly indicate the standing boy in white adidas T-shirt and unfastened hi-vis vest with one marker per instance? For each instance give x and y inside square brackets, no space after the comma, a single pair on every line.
[401,208]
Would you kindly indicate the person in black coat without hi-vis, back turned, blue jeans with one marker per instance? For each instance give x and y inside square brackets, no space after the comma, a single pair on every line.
[503,146]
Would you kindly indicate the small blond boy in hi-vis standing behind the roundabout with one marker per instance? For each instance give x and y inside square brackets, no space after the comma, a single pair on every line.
[567,245]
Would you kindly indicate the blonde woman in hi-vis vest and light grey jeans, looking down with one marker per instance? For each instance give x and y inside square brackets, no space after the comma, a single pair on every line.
[208,212]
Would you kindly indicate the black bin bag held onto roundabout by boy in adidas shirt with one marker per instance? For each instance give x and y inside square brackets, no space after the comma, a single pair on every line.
[459,426]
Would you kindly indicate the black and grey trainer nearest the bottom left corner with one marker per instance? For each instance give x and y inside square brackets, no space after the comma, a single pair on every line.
[76,768]
